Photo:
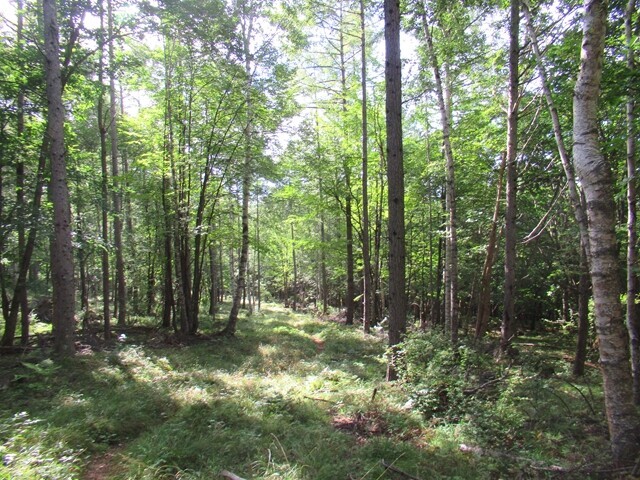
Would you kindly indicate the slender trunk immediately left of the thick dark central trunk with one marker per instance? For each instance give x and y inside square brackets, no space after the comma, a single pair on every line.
[367,306]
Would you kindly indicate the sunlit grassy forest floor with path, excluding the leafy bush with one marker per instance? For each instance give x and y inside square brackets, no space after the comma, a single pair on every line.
[290,397]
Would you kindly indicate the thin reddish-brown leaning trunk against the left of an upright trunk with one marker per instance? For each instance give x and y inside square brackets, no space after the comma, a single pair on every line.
[484,300]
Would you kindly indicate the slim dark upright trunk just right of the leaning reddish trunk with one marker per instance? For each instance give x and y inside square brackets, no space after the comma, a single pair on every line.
[508,329]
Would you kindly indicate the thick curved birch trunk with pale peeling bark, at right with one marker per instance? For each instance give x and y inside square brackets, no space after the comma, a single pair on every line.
[596,178]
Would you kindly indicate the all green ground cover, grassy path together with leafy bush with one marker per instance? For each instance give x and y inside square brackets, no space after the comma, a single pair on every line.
[290,397]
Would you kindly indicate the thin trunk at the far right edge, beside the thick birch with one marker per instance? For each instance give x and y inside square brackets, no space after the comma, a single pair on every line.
[633,315]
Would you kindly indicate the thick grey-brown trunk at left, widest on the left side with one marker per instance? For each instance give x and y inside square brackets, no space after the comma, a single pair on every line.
[62,274]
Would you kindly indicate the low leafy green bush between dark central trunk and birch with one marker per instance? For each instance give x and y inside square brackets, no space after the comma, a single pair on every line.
[530,406]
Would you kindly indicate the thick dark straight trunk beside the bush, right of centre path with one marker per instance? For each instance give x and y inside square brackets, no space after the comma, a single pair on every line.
[395,177]
